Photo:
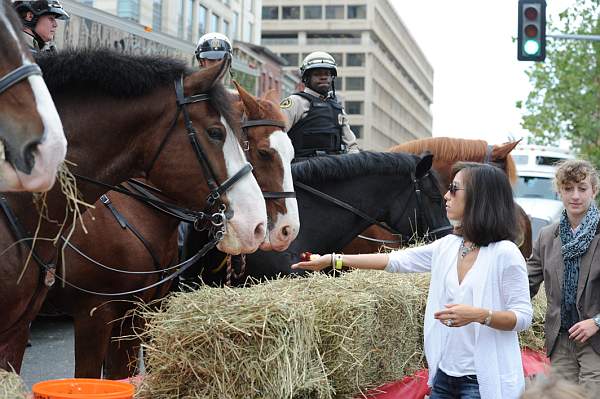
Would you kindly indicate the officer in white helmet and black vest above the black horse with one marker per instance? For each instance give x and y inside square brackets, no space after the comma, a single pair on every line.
[317,123]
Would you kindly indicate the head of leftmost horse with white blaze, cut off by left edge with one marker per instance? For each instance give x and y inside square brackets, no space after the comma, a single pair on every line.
[32,141]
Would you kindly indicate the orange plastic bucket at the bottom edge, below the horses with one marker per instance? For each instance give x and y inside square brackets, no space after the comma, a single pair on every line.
[83,388]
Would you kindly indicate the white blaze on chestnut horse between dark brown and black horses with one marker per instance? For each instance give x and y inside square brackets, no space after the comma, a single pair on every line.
[286,226]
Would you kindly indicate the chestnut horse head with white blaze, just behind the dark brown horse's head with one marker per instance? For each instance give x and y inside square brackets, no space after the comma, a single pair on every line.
[270,152]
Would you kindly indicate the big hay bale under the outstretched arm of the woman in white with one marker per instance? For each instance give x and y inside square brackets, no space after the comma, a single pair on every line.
[316,337]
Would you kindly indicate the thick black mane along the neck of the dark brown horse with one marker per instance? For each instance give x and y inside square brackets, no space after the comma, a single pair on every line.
[107,71]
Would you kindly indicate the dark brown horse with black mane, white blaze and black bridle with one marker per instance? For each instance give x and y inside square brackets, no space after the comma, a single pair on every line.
[124,119]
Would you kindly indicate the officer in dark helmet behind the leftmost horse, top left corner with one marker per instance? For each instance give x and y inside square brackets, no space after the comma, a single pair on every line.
[39,22]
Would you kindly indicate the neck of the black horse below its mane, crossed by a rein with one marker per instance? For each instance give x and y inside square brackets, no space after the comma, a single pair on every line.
[328,227]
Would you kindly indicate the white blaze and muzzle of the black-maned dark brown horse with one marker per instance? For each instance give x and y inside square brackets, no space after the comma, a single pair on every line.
[245,200]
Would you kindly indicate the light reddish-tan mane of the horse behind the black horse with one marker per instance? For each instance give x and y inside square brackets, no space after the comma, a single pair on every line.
[446,148]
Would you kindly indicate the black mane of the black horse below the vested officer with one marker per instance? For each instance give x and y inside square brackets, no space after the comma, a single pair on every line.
[365,163]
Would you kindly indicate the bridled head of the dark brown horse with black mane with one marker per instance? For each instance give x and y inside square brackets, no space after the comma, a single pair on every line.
[215,152]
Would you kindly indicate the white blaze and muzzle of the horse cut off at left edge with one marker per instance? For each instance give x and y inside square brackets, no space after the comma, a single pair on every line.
[53,147]
